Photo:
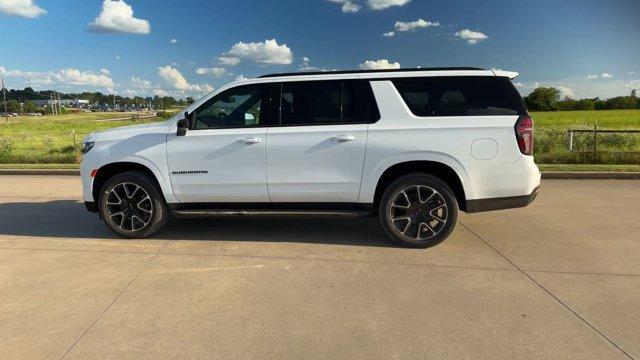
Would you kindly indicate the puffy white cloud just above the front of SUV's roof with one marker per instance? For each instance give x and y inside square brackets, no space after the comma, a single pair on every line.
[265,53]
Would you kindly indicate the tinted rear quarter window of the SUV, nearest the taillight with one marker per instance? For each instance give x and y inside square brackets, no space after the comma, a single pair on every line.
[460,96]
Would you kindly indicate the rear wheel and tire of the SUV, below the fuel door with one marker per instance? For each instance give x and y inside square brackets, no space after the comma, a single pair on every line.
[418,222]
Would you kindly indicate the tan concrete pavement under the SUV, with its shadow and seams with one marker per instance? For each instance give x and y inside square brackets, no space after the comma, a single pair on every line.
[557,280]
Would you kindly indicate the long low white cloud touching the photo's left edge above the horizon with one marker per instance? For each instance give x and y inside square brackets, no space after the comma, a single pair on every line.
[68,76]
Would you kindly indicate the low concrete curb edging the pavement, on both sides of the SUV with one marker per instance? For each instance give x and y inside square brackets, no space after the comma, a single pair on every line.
[545,174]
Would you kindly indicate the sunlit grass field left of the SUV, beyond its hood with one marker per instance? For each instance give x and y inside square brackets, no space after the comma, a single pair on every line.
[54,139]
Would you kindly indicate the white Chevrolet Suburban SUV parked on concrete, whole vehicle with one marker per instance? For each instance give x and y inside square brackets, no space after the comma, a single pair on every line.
[410,146]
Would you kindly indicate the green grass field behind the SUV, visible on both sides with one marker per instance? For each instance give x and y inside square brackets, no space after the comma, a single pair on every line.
[50,139]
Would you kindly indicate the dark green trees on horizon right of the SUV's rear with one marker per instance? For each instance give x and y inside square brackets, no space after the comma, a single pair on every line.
[549,99]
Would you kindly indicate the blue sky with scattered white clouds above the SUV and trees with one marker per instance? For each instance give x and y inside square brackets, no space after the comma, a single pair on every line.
[587,48]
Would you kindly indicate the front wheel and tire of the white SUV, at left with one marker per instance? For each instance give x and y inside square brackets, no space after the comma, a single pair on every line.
[132,206]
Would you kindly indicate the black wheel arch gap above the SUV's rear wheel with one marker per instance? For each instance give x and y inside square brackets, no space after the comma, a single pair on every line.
[438,169]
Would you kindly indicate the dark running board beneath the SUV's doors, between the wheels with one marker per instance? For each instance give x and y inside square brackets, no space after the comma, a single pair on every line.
[270,213]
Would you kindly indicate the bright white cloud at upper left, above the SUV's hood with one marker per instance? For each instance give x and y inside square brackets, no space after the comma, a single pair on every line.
[117,17]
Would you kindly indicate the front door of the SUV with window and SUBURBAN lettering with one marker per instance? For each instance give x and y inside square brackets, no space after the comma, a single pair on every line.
[222,157]
